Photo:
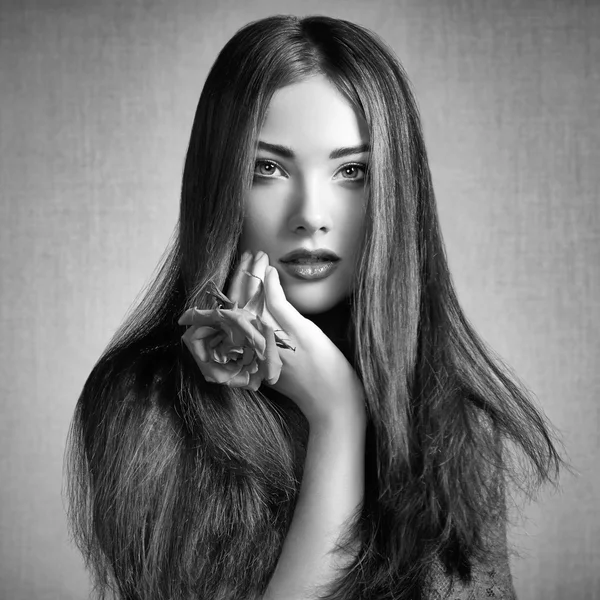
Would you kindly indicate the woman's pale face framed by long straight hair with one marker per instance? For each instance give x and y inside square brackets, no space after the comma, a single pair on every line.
[309,193]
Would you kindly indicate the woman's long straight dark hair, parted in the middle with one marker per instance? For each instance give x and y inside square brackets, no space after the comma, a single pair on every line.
[181,488]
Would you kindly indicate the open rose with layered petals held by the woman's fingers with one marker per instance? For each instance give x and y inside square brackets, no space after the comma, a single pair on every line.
[233,346]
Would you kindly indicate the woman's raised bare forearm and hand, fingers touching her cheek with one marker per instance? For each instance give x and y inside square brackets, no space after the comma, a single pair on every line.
[319,379]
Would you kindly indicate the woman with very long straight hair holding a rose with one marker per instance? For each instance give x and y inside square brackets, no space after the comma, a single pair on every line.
[357,444]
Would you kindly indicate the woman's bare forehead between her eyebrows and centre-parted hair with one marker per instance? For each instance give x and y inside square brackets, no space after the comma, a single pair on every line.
[312,116]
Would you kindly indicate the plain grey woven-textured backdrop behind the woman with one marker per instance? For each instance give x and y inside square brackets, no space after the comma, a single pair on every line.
[97,100]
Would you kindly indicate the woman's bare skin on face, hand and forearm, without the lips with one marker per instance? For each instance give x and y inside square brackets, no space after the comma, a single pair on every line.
[311,201]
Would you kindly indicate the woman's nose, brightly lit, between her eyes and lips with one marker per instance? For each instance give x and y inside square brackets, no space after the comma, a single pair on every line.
[310,212]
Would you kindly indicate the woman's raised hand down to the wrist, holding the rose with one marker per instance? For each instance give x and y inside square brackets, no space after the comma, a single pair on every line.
[316,376]
